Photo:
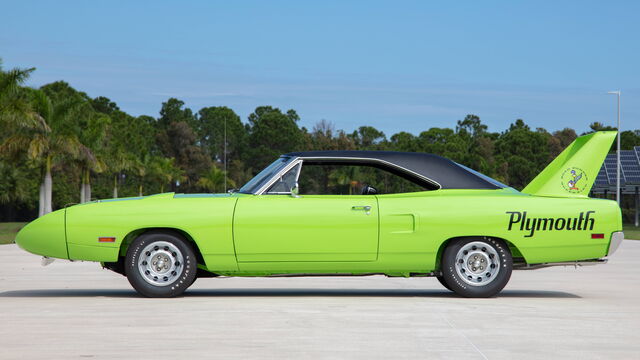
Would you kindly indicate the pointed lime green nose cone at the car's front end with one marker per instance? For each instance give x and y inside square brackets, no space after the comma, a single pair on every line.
[45,236]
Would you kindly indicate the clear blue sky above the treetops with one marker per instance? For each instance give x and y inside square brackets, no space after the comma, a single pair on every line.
[395,65]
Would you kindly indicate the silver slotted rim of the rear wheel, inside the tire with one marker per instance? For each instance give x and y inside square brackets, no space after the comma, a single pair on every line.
[477,263]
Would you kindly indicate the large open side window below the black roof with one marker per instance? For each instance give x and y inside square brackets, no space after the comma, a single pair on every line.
[351,179]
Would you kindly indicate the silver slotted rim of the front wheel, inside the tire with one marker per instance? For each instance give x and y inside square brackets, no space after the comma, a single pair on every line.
[161,263]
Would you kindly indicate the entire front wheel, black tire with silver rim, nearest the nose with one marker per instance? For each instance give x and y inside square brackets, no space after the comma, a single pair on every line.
[168,253]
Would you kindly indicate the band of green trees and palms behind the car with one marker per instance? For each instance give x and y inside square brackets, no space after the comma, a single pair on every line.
[59,146]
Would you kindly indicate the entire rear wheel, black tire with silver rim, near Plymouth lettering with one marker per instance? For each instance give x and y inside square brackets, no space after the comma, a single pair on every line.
[486,264]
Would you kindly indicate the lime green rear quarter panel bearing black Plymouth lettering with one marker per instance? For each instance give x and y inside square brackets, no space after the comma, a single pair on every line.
[413,227]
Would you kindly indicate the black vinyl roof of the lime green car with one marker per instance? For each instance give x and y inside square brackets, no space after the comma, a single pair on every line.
[447,173]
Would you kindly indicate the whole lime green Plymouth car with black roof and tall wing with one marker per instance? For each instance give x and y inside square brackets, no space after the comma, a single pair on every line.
[349,213]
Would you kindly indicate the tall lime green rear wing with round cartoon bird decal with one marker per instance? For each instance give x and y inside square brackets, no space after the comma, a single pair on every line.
[574,171]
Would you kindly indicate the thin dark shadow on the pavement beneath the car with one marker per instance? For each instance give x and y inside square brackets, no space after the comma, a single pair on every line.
[428,293]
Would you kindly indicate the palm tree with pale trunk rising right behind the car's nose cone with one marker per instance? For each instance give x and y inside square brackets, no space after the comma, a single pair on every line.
[45,145]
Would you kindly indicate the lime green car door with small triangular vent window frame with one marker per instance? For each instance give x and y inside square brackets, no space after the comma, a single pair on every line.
[283,227]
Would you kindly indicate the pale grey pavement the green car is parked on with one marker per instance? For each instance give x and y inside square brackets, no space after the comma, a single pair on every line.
[77,310]
